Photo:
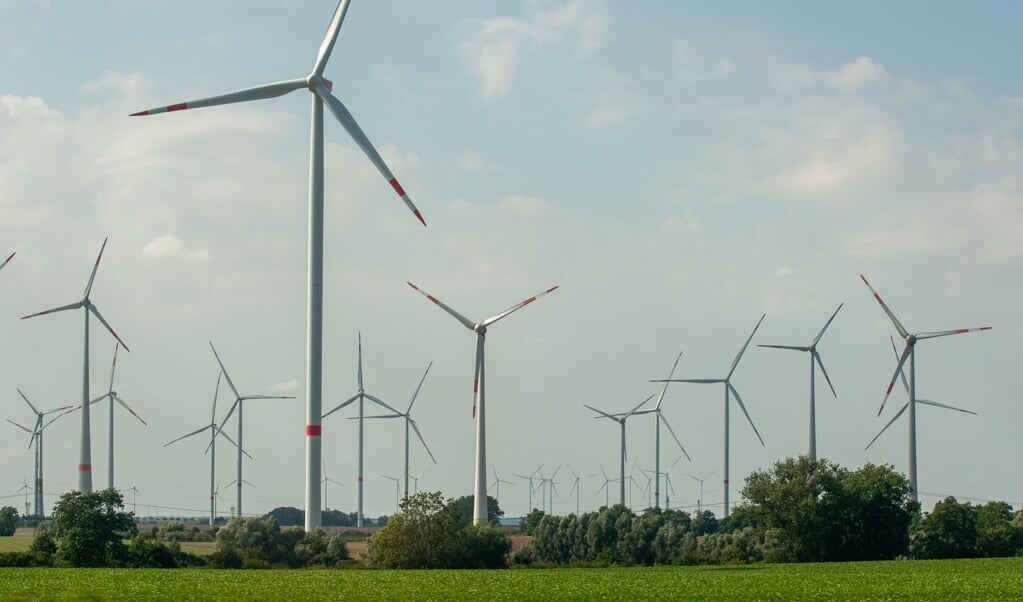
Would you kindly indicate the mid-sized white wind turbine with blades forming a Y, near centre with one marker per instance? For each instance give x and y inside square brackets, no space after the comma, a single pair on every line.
[479,389]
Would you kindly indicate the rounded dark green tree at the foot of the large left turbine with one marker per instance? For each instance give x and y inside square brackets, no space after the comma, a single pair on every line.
[91,529]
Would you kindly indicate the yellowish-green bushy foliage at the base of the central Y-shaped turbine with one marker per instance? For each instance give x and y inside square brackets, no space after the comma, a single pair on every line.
[429,533]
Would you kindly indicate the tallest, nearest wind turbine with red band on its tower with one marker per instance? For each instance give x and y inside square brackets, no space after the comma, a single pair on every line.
[321,89]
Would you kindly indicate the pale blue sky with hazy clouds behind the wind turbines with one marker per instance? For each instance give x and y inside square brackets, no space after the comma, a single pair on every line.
[679,169]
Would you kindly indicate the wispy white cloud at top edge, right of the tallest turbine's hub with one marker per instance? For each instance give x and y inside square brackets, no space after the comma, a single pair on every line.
[493,53]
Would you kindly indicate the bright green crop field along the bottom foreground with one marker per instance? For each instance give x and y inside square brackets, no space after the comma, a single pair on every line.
[950,580]
